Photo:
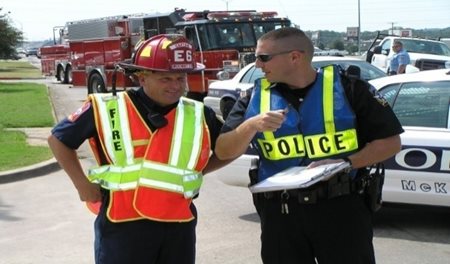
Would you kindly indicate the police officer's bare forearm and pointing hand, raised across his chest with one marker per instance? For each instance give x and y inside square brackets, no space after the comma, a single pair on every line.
[234,143]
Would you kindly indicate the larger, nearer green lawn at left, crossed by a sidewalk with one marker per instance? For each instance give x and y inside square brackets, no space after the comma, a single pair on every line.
[22,105]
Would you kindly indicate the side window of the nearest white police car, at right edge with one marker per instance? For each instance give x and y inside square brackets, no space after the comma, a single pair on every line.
[423,104]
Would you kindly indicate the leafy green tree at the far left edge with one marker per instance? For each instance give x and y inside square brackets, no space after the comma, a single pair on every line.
[10,37]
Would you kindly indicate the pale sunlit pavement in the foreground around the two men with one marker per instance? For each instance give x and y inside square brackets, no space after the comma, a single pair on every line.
[42,220]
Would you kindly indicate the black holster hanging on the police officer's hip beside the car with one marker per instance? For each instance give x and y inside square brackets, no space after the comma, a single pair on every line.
[373,187]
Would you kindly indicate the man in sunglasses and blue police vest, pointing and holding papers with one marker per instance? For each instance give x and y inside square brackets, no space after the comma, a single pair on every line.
[300,116]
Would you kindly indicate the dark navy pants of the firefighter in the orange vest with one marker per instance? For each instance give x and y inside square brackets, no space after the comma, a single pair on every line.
[144,241]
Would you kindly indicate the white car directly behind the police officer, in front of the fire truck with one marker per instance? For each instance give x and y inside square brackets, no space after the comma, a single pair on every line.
[223,94]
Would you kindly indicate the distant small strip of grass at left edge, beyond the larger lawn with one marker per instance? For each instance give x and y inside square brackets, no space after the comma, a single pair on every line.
[18,69]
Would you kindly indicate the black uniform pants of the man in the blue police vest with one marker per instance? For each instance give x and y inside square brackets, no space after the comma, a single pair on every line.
[331,231]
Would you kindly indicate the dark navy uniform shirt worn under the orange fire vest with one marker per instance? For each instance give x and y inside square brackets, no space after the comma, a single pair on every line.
[79,126]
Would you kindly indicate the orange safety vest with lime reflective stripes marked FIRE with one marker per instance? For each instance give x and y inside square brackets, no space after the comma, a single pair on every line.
[149,175]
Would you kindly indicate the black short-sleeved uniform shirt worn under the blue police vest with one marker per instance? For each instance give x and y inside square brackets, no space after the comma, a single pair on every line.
[374,117]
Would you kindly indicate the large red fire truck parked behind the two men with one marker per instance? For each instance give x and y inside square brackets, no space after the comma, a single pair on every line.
[224,41]
